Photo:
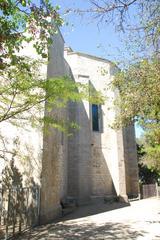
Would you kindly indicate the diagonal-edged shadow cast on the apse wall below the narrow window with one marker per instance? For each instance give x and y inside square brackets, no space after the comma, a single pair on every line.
[88,171]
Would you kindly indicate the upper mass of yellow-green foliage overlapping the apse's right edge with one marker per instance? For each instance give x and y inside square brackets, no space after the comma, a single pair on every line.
[139,94]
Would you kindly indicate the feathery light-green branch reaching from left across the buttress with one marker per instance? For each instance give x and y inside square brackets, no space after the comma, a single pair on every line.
[23,93]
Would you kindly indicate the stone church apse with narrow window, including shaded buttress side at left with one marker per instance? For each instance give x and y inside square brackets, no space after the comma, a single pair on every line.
[96,161]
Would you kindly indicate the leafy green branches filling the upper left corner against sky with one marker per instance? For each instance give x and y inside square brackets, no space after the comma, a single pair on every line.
[25,21]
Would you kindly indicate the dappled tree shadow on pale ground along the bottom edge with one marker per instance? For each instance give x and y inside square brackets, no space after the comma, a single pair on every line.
[83,231]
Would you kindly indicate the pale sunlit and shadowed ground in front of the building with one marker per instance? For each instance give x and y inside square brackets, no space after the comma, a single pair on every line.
[139,220]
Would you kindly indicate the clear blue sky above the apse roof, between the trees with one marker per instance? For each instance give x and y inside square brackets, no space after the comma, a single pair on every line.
[83,34]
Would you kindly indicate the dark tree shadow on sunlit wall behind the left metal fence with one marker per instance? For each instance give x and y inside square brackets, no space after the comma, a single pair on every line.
[19,206]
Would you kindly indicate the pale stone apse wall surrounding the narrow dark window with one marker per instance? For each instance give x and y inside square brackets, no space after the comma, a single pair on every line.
[98,157]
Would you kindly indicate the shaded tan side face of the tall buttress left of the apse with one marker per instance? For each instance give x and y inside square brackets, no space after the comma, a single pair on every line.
[54,161]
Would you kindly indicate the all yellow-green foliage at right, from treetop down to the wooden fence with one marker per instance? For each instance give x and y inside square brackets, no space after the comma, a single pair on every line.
[139,100]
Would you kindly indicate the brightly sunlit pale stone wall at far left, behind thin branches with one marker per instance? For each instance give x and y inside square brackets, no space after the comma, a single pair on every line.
[28,139]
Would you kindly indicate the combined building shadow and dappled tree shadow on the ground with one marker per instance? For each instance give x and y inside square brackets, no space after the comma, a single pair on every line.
[82,230]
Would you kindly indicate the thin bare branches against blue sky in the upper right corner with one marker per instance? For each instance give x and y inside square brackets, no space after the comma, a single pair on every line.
[138,17]
